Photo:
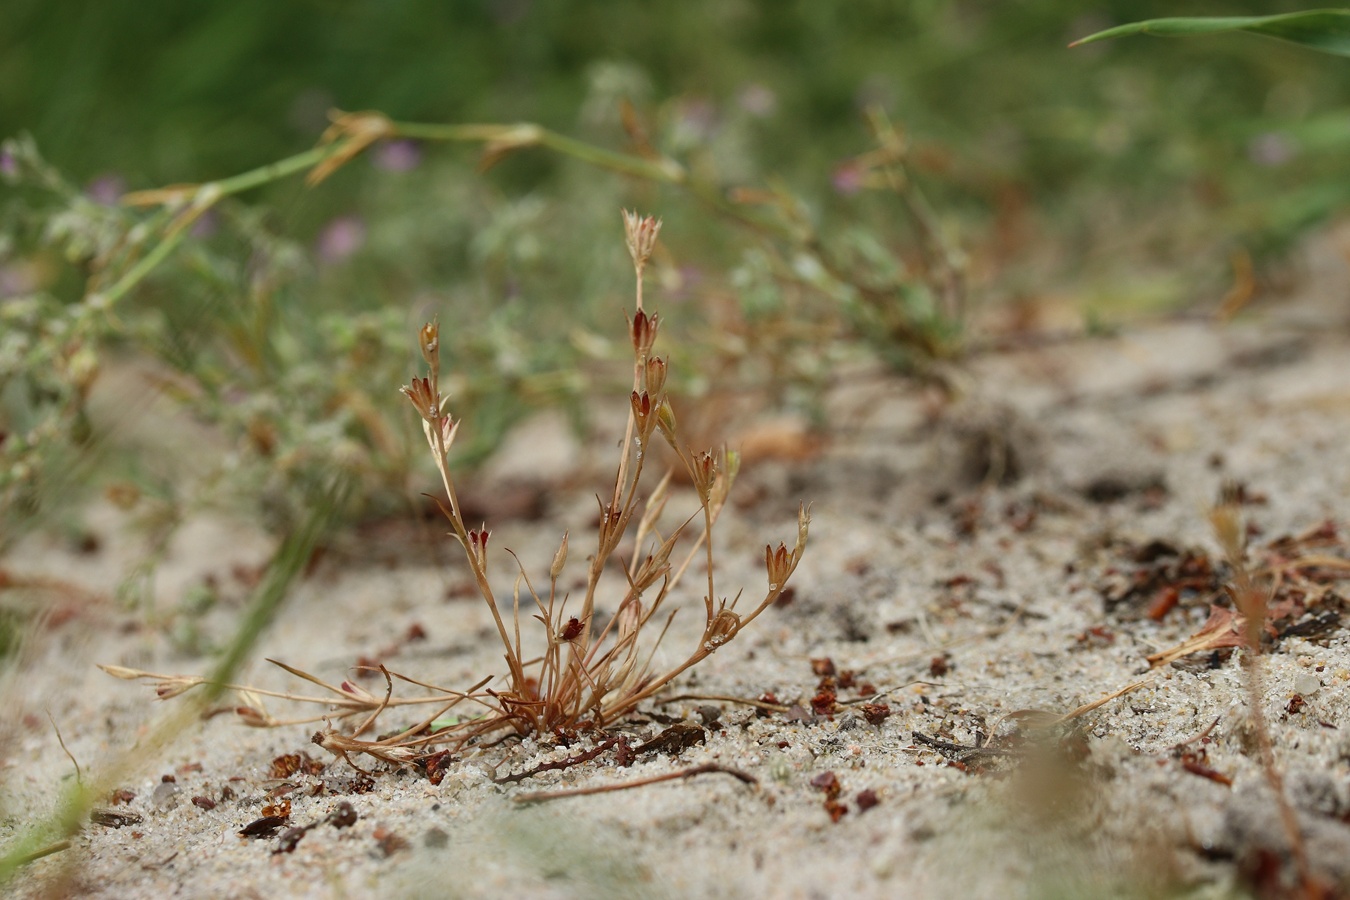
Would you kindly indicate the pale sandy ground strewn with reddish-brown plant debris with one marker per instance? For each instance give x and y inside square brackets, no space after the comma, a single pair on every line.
[969,563]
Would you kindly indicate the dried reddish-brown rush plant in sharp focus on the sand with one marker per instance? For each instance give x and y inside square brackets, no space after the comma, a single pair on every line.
[588,675]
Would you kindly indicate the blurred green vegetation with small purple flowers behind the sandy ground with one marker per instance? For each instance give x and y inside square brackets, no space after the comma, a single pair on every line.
[1044,188]
